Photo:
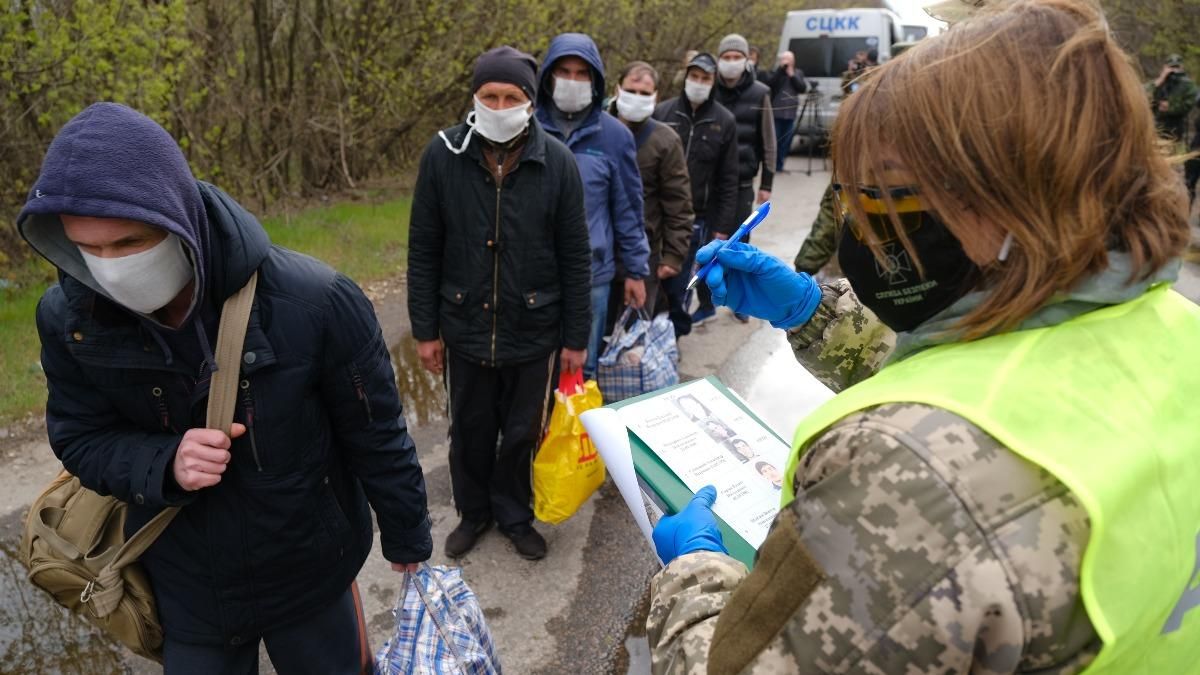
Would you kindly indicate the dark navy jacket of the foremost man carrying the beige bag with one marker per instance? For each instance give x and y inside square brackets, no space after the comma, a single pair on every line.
[289,527]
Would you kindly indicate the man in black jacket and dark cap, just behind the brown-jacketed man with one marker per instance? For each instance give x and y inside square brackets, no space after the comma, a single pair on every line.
[709,133]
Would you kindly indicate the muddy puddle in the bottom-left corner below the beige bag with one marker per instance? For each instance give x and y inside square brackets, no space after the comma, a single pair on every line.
[38,636]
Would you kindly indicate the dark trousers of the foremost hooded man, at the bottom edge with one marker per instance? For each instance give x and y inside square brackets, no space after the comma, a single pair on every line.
[332,642]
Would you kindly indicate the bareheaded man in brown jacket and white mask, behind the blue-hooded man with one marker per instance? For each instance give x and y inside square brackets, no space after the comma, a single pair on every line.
[667,192]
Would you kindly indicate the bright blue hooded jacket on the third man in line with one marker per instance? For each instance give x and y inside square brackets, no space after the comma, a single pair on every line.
[608,158]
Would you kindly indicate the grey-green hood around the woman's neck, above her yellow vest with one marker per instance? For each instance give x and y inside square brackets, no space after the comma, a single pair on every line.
[1111,286]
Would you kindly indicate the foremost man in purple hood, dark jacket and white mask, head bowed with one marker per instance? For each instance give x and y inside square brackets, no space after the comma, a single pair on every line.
[275,523]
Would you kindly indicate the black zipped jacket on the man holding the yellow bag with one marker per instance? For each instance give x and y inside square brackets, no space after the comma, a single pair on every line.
[502,274]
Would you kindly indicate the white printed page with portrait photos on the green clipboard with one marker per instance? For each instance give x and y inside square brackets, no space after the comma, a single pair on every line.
[707,440]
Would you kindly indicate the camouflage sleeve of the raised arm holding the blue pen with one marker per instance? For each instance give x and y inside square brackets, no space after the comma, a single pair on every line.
[844,343]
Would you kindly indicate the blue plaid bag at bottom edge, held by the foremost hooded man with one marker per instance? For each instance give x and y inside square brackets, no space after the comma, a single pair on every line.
[440,629]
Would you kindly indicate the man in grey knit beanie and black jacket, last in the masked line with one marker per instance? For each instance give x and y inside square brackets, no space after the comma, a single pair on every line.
[749,100]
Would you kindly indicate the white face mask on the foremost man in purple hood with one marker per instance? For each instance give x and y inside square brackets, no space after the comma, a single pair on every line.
[145,282]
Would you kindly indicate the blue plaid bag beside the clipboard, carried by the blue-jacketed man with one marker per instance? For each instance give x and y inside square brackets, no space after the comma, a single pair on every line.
[641,357]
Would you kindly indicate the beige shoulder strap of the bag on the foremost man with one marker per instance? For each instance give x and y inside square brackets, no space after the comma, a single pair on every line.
[223,398]
